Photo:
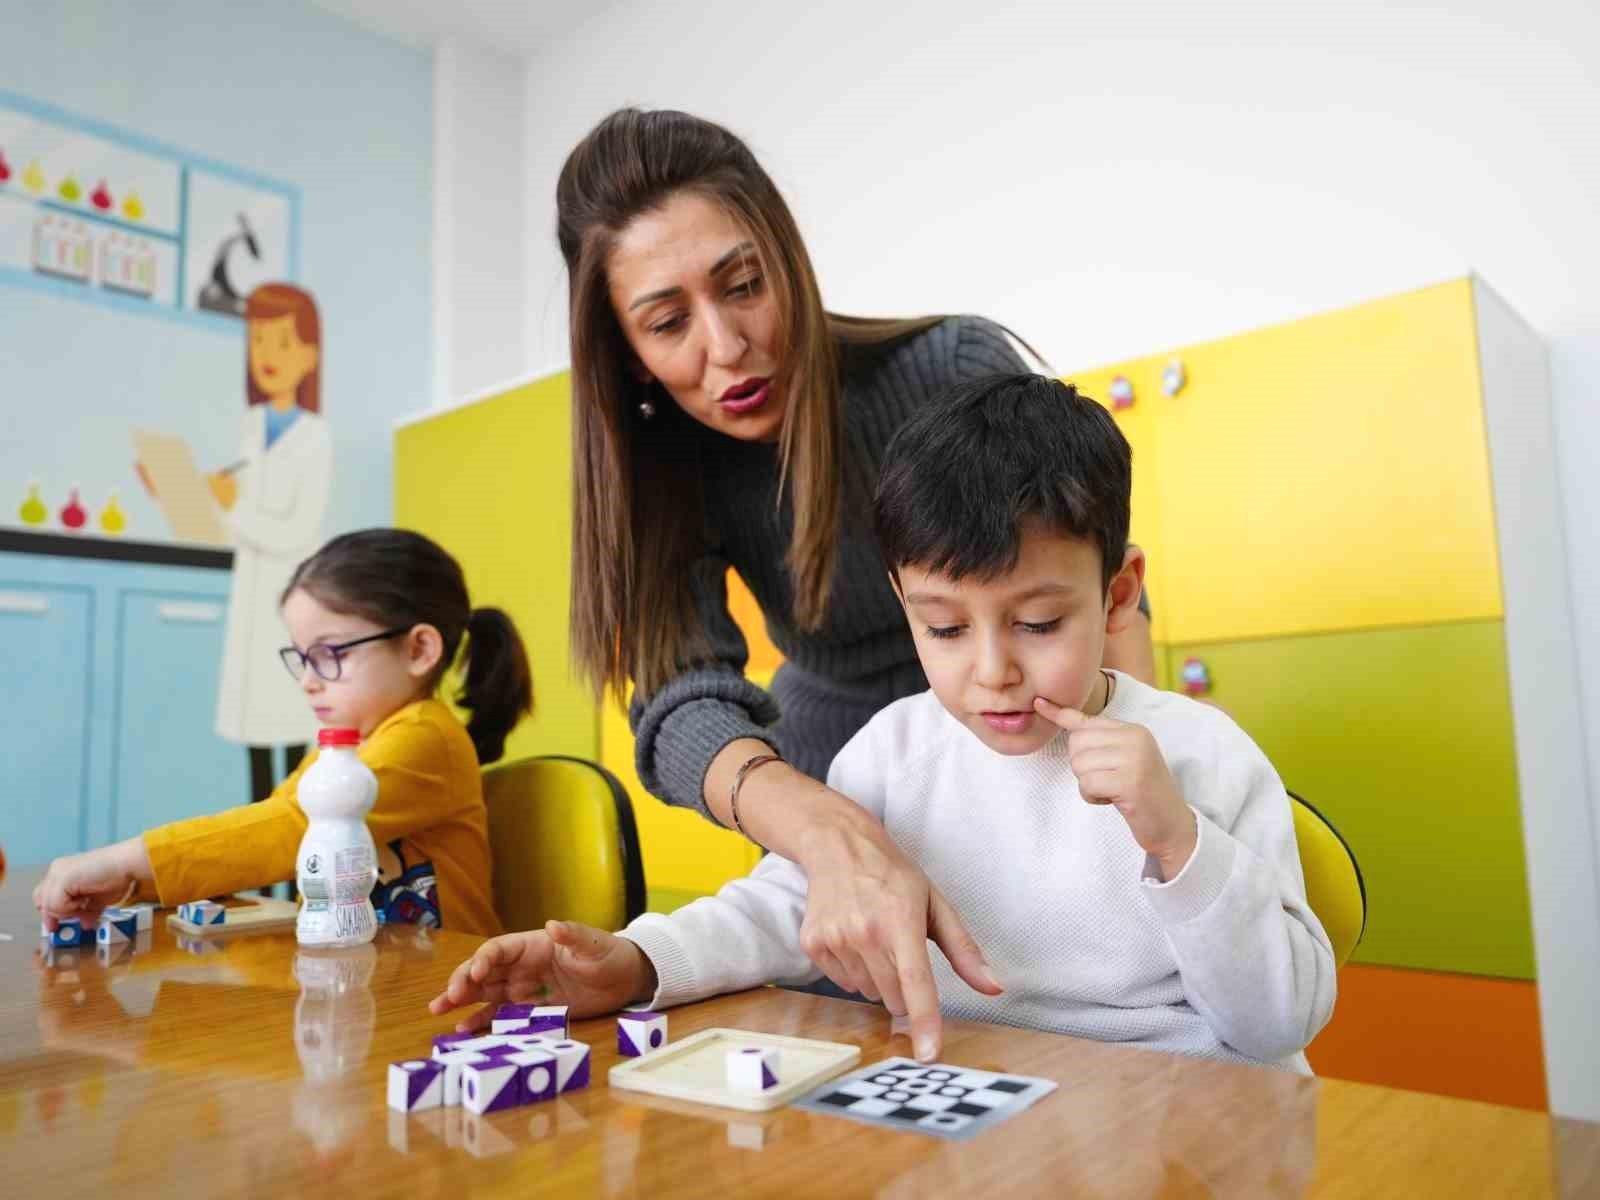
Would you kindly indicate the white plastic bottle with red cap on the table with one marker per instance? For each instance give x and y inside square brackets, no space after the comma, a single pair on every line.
[338,863]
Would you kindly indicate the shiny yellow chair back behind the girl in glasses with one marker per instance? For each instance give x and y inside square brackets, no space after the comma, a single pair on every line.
[564,842]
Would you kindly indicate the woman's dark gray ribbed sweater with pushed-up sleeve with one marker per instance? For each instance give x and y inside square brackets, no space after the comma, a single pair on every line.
[862,660]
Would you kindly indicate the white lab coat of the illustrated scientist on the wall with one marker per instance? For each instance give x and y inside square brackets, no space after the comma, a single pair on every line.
[276,524]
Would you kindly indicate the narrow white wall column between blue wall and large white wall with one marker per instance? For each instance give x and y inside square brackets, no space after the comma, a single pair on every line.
[481,215]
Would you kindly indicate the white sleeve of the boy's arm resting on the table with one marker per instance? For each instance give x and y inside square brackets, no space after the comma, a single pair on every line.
[750,932]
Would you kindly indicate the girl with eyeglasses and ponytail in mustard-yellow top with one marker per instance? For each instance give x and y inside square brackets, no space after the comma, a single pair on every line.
[375,620]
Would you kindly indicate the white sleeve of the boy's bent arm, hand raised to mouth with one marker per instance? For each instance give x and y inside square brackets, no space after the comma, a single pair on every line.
[1254,958]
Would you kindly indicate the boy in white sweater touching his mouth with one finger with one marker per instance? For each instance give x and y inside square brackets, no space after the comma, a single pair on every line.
[1126,857]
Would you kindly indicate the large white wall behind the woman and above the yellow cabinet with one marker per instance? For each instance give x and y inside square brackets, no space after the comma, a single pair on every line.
[1140,175]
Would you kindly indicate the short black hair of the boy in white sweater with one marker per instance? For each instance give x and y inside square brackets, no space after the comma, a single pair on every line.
[966,473]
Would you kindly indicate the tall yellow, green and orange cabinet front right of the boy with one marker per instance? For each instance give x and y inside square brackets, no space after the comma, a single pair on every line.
[1318,510]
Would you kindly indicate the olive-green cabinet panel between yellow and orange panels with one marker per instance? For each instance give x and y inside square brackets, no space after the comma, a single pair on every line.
[1404,738]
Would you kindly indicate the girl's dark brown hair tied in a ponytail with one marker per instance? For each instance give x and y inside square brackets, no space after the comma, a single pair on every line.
[402,578]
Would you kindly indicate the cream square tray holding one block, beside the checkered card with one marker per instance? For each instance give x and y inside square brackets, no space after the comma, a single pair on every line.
[695,1070]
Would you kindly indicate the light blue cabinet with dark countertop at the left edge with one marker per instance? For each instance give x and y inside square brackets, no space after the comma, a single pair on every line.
[110,655]
